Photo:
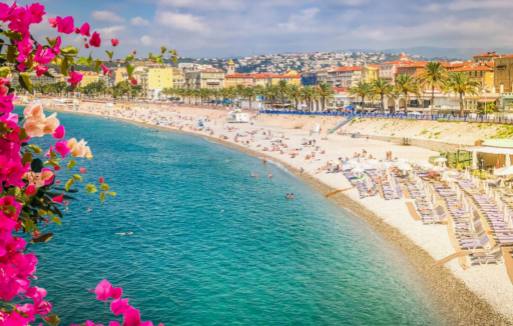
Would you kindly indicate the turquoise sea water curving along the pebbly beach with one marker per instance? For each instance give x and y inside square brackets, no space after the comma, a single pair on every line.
[213,246]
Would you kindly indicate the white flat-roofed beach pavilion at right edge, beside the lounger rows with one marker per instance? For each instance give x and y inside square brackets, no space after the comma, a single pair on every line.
[492,153]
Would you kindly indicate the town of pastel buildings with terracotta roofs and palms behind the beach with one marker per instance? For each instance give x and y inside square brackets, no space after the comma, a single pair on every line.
[344,73]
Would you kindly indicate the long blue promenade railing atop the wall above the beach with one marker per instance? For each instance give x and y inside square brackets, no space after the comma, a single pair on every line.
[432,117]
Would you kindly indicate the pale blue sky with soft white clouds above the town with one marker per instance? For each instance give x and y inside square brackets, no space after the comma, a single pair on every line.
[231,28]
